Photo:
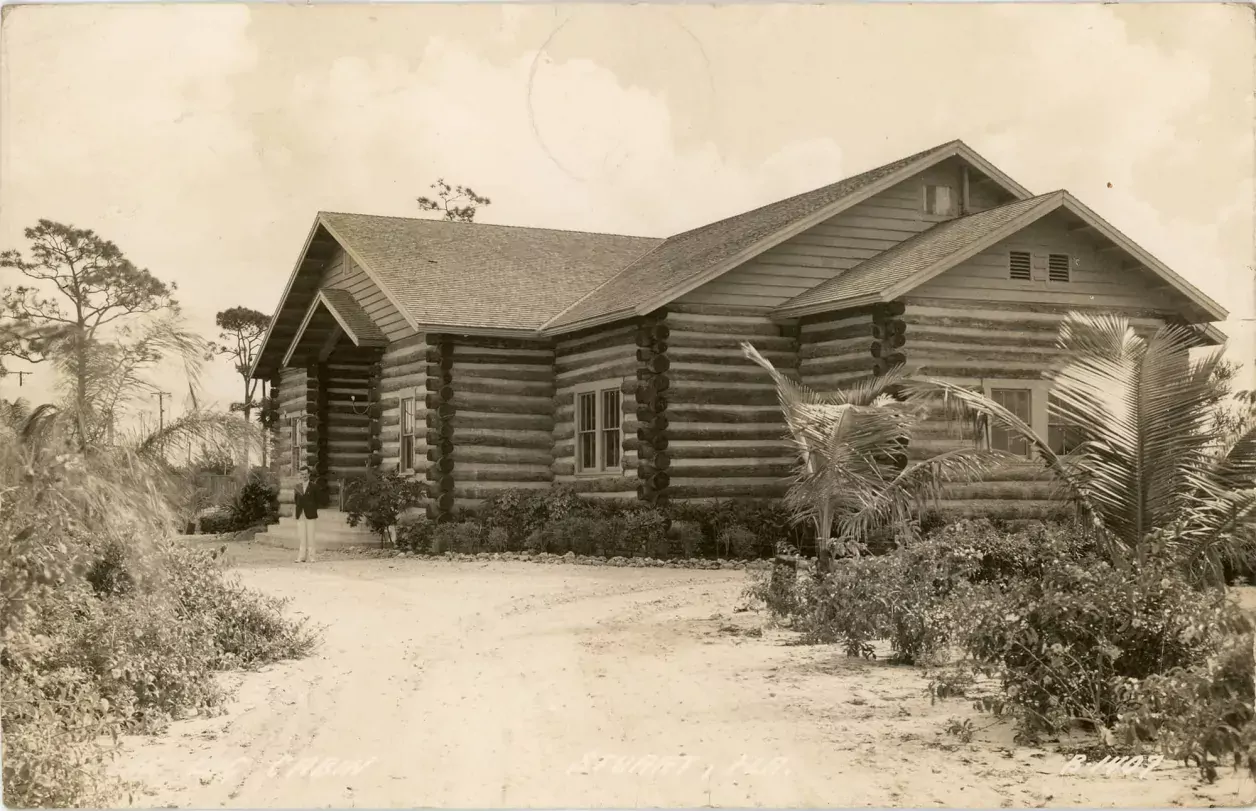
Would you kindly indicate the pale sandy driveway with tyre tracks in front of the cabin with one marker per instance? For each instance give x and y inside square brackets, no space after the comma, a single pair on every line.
[521,685]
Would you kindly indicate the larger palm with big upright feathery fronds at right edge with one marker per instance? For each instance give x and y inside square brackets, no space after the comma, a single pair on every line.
[1149,478]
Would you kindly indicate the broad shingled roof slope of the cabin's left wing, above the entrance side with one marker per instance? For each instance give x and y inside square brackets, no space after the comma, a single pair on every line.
[483,276]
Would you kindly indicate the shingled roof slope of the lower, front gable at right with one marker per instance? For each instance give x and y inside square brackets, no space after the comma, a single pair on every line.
[918,254]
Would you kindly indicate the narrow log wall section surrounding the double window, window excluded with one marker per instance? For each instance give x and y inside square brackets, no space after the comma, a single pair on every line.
[610,355]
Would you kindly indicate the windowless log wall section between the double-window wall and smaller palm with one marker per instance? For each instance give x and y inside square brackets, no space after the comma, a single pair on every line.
[727,435]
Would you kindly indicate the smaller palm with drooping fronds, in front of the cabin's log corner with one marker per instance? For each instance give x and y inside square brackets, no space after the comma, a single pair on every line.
[853,476]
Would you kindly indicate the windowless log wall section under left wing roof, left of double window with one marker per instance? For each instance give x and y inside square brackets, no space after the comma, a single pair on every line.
[501,399]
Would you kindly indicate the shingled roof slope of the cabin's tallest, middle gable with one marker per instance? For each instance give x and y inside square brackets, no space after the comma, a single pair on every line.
[684,257]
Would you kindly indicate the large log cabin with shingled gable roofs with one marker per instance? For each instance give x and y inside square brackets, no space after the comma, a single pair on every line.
[484,357]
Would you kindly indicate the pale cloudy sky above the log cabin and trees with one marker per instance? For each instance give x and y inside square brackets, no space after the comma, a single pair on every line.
[204,139]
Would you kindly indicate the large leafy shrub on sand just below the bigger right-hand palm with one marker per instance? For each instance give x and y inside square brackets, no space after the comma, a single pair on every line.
[1068,645]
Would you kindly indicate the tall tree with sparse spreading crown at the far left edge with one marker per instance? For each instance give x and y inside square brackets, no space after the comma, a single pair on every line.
[96,289]
